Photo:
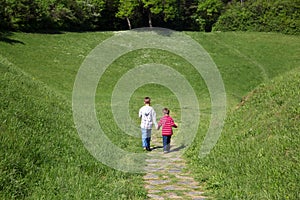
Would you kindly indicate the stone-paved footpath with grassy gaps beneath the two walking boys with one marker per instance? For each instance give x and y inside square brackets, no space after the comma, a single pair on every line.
[167,176]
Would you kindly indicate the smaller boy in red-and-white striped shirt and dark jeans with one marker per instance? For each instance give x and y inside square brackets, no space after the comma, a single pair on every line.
[167,123]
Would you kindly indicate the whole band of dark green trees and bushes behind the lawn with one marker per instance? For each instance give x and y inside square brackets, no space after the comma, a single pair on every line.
[196,15]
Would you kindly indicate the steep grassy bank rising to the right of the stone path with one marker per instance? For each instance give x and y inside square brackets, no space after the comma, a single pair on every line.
[257,156]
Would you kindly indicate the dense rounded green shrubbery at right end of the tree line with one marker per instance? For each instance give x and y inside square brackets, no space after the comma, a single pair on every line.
[261,15]
